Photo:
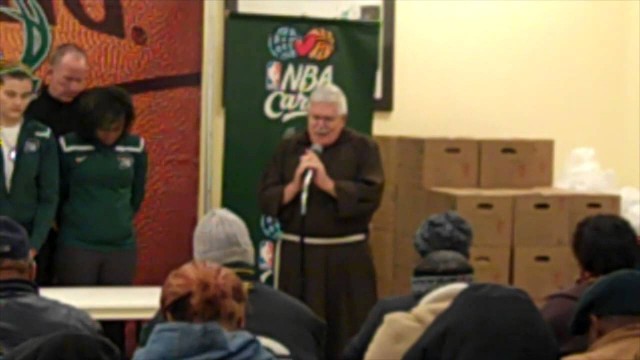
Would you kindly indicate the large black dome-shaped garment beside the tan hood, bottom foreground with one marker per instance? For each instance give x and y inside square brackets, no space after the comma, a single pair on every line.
[487,322]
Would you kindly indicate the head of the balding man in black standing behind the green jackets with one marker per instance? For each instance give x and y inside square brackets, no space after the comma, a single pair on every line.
[68,72]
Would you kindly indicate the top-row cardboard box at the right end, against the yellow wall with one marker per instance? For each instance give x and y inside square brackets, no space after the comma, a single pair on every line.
[516,163]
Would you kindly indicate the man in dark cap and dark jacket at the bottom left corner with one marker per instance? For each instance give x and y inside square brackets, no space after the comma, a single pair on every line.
[23,313]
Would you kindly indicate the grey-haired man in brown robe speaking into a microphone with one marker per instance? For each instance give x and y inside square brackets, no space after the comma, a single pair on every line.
[345,192]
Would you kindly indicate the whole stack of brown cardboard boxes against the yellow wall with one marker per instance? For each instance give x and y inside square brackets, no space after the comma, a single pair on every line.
[522,227]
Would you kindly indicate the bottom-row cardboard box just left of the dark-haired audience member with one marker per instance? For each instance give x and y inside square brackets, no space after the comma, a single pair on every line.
[542,271]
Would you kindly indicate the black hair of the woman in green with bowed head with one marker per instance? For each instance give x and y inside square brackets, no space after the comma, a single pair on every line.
[102,107]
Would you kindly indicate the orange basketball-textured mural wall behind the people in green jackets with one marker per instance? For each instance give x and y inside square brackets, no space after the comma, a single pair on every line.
[154,49]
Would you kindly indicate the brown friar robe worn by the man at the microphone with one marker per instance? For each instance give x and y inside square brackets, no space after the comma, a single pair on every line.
[340,279]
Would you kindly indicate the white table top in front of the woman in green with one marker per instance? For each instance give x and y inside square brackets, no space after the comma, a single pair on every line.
[109,302]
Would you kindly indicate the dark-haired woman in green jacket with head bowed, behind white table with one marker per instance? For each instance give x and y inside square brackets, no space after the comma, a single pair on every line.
[103,175]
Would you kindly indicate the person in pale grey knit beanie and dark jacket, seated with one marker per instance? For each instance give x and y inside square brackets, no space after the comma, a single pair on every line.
[275,317]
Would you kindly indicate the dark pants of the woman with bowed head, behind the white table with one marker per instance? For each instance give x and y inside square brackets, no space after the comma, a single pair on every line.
[76,266]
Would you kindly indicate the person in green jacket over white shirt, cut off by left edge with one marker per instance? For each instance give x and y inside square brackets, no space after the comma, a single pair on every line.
[29,170]
